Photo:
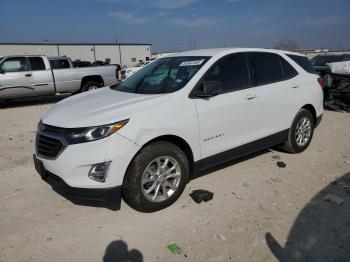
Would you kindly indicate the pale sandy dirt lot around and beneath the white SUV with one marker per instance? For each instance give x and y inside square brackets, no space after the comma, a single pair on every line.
[259,212]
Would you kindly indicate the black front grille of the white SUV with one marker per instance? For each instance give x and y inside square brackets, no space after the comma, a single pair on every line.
[47,146]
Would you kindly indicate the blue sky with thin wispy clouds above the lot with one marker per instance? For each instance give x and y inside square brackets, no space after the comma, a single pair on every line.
[175,25]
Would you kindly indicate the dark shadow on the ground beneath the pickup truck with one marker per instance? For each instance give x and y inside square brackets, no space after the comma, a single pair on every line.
[30,101]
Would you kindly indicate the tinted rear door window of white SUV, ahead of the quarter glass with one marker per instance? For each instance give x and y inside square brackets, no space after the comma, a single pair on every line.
[266,68]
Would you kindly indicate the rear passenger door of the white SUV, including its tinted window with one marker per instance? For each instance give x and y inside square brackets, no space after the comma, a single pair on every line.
[277,83]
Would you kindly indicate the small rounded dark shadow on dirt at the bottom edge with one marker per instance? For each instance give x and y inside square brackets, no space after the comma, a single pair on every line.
[117,251]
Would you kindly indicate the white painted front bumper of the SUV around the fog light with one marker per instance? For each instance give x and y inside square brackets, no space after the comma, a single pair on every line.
[74,163]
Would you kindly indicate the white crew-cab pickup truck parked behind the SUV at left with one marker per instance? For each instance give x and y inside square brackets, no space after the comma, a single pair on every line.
[27,75]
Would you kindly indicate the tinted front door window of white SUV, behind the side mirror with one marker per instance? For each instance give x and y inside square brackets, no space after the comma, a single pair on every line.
[231,71]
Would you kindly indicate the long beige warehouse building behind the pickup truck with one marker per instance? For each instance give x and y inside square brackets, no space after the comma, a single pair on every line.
[124,54]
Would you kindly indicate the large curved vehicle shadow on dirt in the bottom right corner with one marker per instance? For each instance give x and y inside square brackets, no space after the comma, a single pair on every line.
[322,230]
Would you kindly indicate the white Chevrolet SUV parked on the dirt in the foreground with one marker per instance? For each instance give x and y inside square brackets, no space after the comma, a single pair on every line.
[147,136]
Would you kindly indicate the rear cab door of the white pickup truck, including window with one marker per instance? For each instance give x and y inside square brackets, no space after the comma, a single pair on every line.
[42,76]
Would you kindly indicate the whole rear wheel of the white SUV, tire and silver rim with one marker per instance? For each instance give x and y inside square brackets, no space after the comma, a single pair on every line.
[295,143]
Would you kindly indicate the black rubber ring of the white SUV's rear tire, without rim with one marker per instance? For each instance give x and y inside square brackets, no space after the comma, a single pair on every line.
[292,140]
